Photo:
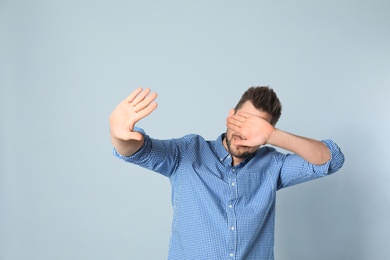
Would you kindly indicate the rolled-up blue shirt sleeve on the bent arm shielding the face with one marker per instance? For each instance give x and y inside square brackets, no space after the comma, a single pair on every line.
[294,169]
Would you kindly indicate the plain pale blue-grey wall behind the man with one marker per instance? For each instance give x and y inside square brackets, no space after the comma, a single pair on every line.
[66,64]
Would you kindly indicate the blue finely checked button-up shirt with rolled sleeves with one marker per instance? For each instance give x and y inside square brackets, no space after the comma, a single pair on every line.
[222,211]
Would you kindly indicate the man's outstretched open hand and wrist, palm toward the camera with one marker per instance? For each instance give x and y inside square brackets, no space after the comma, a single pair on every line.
[139,104]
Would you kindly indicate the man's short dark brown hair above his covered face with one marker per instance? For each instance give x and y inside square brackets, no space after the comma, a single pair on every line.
[263,98]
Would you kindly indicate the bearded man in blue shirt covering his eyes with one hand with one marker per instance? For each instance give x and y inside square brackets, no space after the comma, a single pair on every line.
[224,191]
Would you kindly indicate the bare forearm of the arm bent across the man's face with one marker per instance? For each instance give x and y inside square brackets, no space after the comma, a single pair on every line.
[311,150]
